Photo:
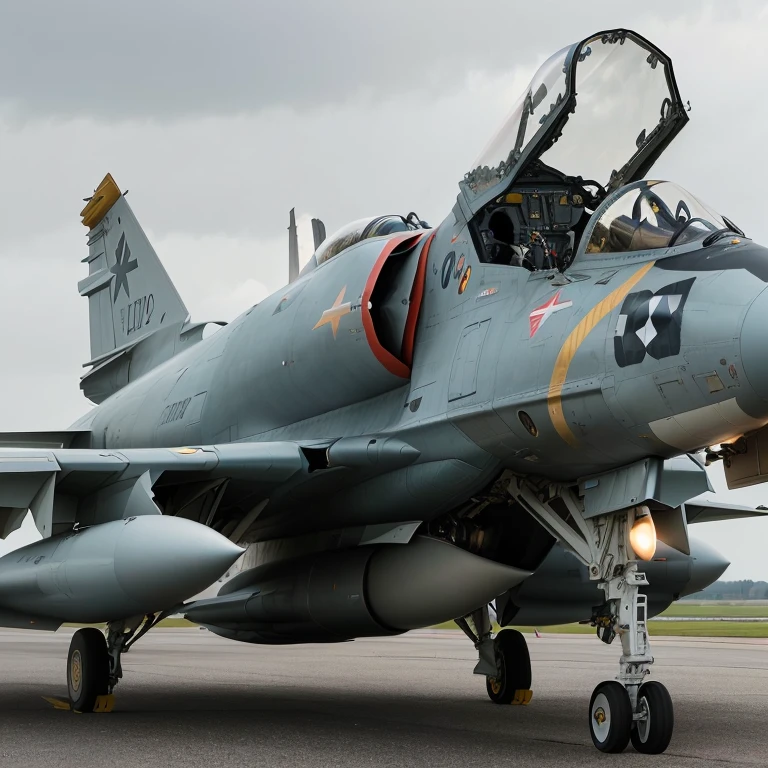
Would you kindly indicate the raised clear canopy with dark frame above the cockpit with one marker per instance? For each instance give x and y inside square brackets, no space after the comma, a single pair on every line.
[603,109]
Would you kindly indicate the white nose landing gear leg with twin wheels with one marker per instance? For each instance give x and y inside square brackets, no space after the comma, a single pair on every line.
[628,708]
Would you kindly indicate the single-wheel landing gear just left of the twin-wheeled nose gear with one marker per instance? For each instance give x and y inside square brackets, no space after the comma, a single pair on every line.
[504,660]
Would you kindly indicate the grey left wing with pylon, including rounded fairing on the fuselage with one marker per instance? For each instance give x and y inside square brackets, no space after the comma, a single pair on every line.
[64,487]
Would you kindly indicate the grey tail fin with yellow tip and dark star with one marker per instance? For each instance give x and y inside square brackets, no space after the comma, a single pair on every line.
[129,292]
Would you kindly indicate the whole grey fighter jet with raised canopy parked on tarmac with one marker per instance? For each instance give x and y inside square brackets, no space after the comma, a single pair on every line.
[512,407]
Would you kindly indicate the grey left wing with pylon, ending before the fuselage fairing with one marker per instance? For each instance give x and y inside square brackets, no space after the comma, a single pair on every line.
[68,486]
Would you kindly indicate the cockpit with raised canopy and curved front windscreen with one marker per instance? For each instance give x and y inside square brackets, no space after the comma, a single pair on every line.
[563,175]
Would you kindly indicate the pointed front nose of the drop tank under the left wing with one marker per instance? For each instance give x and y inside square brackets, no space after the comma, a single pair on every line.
[162,560]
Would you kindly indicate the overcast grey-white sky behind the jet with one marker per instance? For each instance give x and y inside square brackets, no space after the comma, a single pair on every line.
[220,117]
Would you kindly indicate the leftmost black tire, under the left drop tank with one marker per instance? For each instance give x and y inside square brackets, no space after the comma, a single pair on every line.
[87,669]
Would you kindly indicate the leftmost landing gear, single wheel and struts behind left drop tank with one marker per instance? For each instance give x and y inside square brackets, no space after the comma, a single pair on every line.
[94,662]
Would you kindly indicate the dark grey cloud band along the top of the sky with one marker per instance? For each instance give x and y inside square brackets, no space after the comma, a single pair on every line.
[168,59]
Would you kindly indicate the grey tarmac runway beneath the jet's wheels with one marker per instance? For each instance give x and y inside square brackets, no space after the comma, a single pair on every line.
[189,698]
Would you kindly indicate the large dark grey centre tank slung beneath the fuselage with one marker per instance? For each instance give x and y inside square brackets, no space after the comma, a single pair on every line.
[362,592]
